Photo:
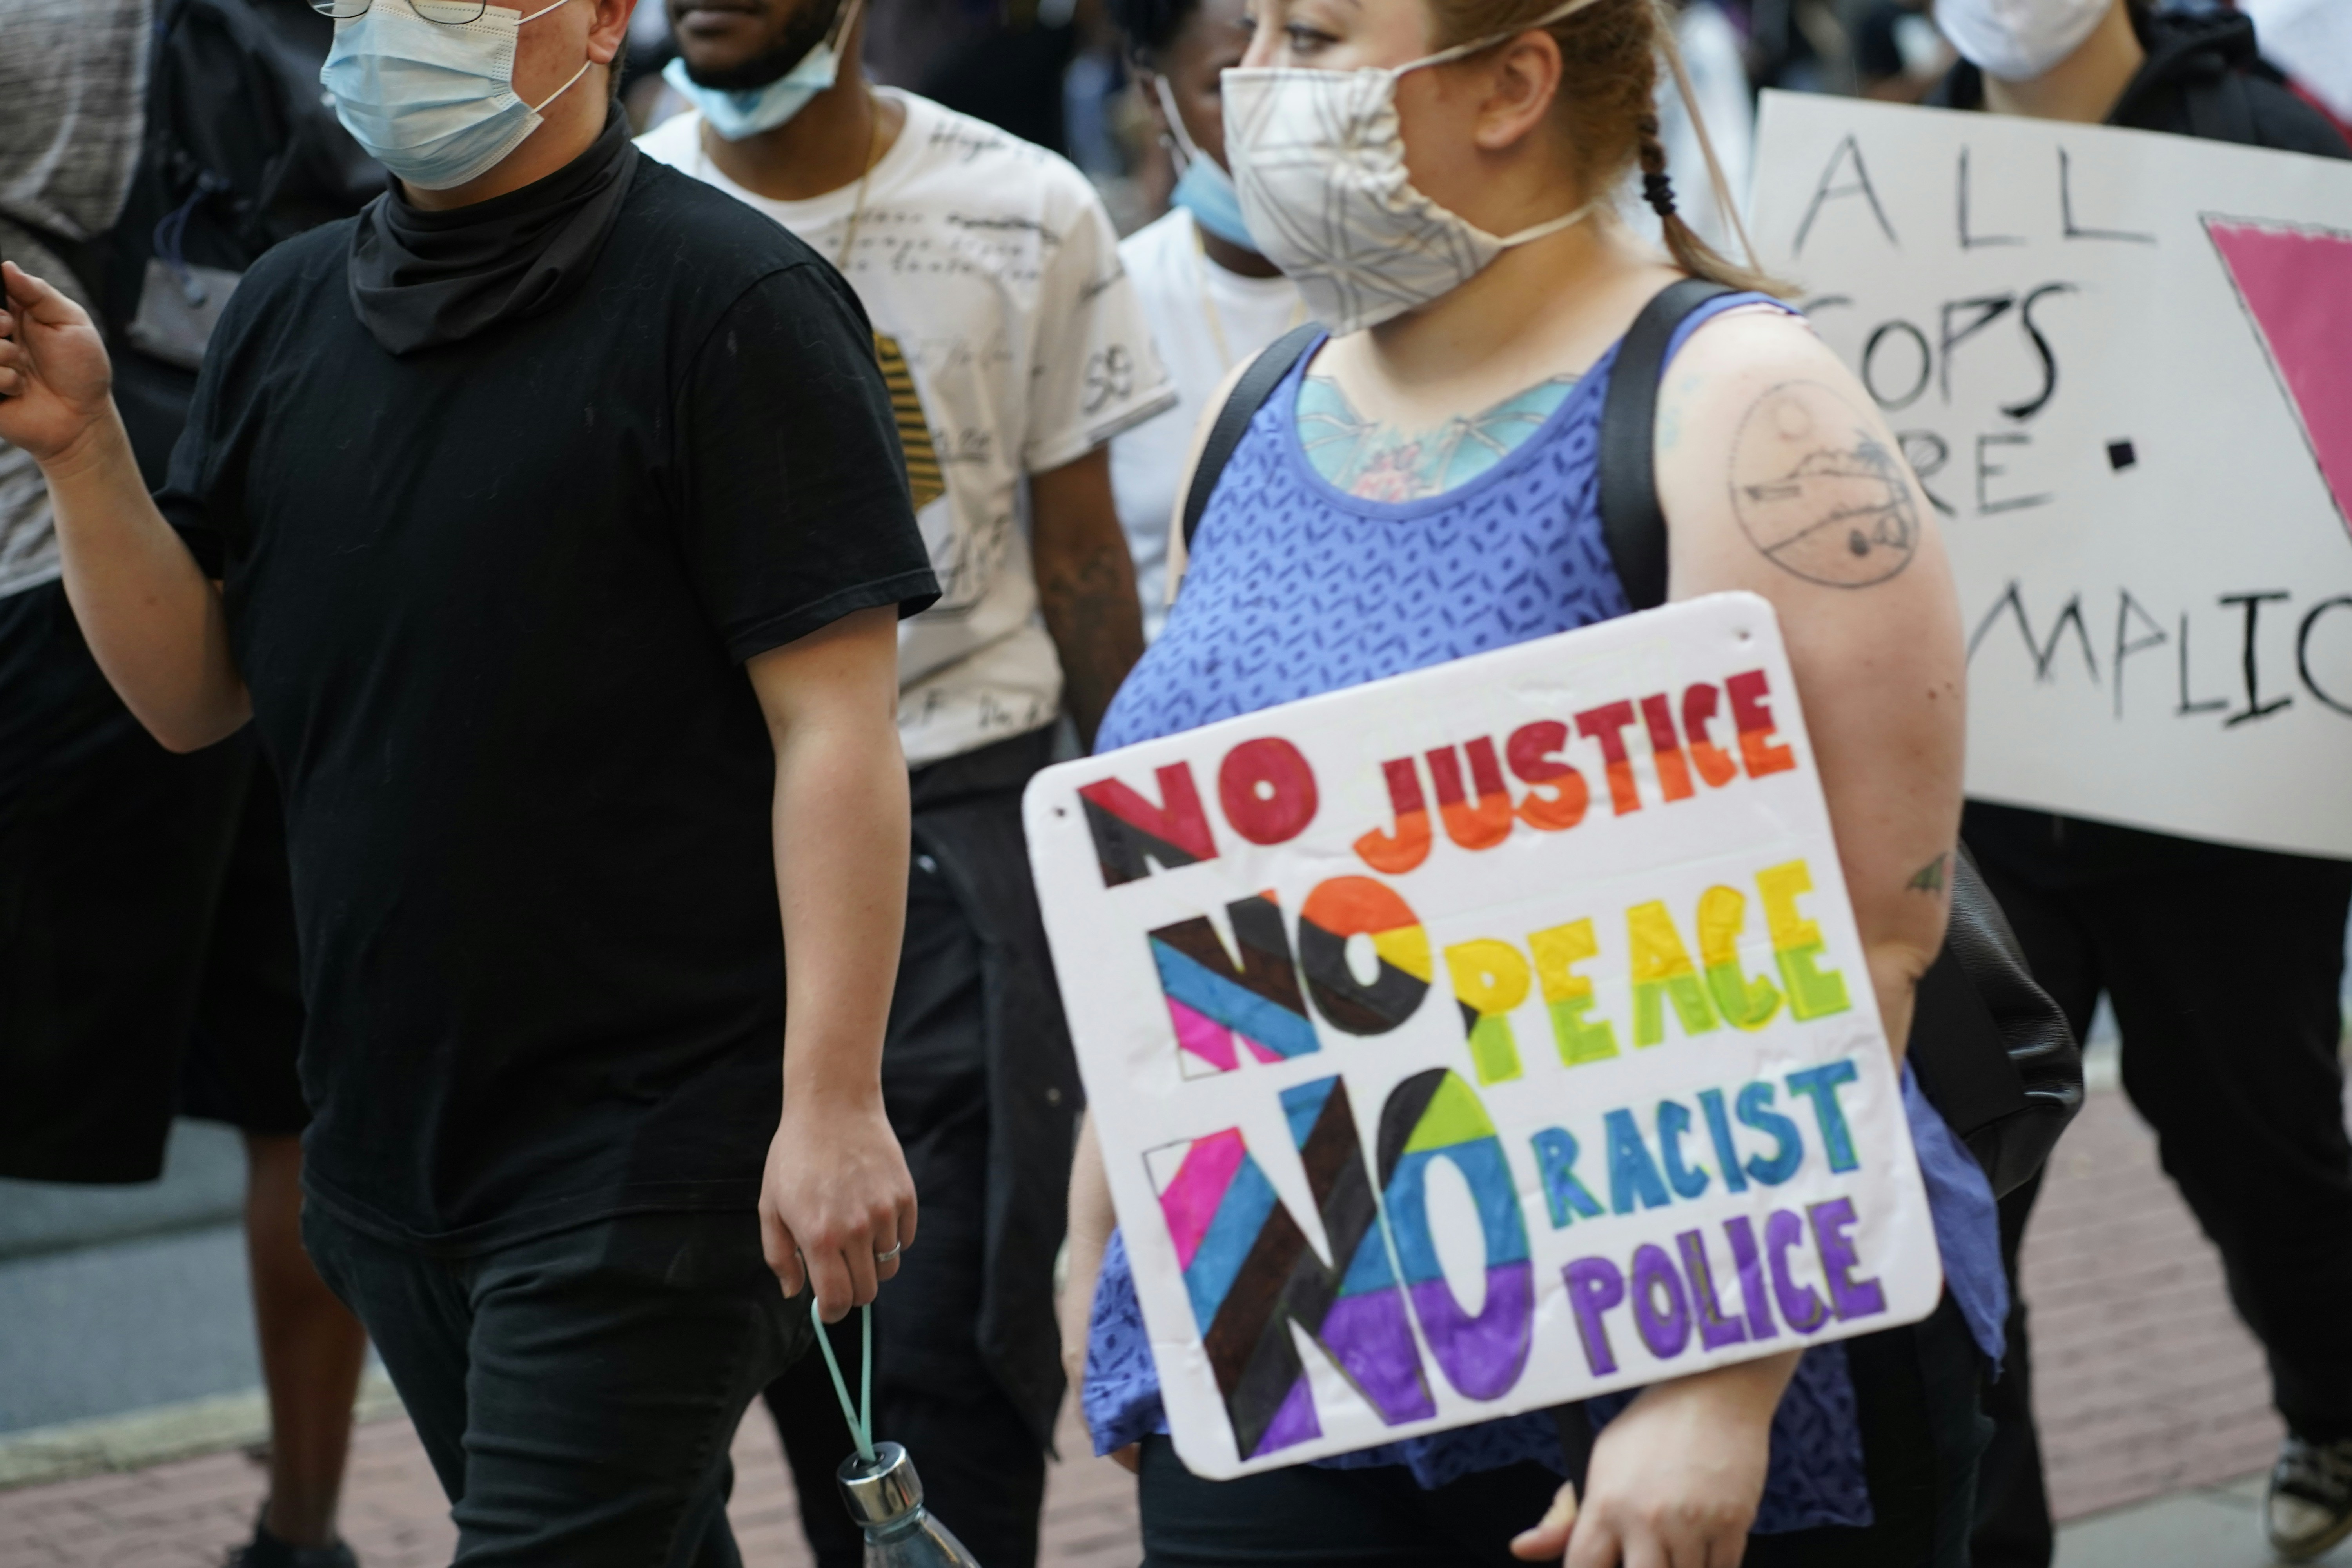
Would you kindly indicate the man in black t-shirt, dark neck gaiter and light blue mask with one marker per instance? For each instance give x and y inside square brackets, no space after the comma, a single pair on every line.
[552,528]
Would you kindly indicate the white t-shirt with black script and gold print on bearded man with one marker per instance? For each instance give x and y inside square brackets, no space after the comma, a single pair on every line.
[1013,347]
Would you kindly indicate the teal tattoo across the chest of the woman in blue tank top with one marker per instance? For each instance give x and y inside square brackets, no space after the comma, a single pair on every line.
[1382,462]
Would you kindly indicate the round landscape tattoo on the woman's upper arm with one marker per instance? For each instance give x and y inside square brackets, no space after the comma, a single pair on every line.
[1817,495]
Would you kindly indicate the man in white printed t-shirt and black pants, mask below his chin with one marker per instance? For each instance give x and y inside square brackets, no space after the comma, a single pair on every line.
[1015,351]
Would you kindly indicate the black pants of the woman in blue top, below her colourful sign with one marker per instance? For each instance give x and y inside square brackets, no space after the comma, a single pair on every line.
[1916,1395]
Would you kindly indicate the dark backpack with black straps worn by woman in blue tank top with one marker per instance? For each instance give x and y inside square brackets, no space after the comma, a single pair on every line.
[1993,1052]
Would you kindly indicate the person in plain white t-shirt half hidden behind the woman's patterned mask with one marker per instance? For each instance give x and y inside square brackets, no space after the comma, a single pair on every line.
[1212,300]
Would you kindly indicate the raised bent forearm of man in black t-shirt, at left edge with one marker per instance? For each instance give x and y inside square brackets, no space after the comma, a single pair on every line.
[152,619]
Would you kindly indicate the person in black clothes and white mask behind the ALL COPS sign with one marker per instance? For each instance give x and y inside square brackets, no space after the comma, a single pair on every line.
[2243,1085]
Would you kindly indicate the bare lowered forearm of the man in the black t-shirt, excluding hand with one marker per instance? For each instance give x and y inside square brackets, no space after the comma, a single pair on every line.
[841,880]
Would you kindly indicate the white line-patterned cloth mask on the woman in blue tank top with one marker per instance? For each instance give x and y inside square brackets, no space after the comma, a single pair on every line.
[1318,159]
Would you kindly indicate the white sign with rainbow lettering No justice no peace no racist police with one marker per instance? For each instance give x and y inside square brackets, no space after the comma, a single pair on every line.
[1481,1040]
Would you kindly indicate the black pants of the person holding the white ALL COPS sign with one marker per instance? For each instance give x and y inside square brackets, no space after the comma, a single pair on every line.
[2226,972]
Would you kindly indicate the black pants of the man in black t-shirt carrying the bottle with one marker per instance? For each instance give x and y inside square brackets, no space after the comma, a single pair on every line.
[577,1393]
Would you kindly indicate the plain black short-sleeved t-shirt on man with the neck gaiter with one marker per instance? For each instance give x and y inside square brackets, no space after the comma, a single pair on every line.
[493,605]
